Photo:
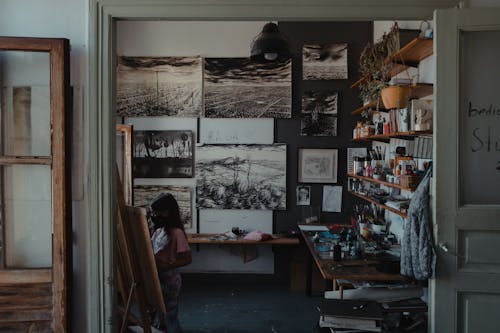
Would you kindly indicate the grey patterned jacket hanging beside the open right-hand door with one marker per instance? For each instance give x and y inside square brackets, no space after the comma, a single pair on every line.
[417,251]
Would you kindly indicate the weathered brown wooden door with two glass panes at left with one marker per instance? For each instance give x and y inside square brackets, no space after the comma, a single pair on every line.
[35,215]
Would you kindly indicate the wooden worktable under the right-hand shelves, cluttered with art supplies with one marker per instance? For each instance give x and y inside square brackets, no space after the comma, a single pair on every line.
[345,269]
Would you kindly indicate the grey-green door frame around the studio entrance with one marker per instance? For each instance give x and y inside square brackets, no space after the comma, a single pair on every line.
[103,15]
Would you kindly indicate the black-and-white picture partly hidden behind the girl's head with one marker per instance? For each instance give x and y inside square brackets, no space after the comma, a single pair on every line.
[144,194]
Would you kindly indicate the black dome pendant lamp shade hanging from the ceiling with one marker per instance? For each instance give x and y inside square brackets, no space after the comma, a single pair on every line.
[270,45]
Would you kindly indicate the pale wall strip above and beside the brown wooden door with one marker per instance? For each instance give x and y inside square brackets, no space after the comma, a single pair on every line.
[64,19]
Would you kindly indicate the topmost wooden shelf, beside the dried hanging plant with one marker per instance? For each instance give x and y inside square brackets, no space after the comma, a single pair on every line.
[409,55]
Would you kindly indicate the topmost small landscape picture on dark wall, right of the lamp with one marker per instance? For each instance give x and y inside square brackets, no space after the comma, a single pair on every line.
[324,61]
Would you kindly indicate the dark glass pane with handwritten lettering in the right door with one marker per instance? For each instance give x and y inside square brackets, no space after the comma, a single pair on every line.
[480,117]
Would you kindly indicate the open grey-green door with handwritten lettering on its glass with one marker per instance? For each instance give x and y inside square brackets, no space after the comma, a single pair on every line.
[465,296]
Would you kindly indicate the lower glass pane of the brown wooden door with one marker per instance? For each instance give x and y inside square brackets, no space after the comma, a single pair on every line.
[28,216]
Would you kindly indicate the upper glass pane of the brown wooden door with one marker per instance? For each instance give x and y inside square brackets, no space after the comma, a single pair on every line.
[25,103]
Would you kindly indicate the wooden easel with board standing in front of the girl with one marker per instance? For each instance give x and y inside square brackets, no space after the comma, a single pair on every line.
[138,281]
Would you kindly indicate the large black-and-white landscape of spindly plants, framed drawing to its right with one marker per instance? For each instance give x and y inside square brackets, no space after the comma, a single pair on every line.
[241,176]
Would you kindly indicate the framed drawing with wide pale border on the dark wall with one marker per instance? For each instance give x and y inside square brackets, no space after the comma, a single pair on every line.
[317,165]
